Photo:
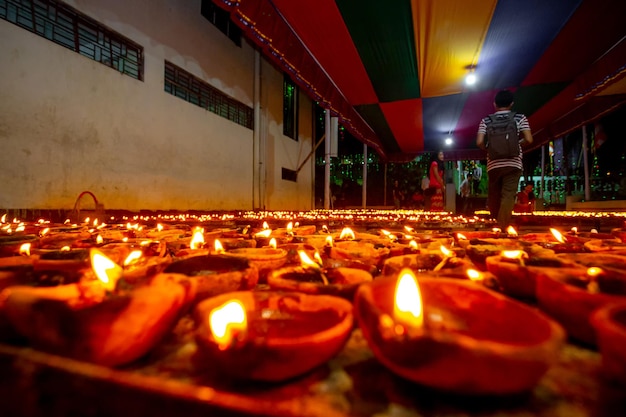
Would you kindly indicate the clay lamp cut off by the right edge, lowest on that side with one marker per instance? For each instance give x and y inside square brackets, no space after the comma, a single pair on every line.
[609,323]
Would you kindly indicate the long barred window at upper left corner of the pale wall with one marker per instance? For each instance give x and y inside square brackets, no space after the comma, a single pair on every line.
[71,29]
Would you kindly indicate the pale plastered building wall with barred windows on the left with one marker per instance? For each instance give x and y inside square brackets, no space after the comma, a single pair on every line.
[69,124]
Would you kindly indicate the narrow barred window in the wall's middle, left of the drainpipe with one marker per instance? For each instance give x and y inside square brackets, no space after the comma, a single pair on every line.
[182,84]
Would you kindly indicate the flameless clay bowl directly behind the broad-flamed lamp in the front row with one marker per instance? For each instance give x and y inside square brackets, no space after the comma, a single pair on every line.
[216,274]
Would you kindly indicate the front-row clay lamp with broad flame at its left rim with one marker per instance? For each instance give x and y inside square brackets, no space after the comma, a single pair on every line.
[270,336]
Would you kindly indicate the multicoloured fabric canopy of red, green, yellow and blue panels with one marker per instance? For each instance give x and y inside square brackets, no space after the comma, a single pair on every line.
[393,71]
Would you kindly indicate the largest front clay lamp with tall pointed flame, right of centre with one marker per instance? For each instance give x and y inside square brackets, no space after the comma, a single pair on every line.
[456,336]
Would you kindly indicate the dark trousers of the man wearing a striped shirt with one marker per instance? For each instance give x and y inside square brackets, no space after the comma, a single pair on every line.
[503,184]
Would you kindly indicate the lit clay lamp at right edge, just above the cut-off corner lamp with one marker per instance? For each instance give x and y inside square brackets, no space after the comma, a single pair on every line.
[571,297]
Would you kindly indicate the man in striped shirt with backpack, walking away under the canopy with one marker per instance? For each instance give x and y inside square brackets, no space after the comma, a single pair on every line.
[499,134]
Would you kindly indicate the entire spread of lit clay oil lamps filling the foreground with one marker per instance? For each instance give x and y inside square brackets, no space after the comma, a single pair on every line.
[445,310]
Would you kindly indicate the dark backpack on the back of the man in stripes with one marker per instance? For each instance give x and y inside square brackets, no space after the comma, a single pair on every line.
[502,136]
